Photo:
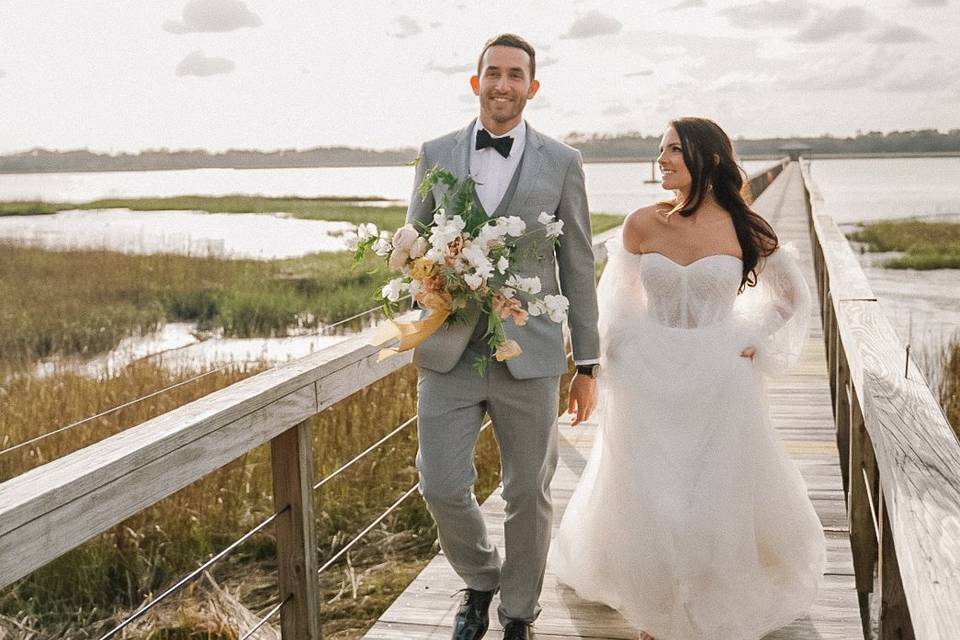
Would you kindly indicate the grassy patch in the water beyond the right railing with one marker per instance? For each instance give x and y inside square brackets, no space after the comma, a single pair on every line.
[925,245]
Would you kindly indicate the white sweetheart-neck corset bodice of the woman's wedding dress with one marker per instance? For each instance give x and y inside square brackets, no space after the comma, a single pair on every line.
[699,294]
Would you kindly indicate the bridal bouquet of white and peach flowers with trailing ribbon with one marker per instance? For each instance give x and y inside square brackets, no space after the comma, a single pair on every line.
[462,256]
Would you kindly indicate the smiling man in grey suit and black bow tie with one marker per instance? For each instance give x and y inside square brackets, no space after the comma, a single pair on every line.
[519,172]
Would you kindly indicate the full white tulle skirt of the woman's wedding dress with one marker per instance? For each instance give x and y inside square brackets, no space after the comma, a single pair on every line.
[689,517]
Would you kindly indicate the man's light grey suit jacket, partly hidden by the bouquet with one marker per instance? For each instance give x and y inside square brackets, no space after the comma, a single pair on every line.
[551,179]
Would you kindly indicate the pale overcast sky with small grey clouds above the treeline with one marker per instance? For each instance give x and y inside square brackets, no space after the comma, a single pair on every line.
[128,75]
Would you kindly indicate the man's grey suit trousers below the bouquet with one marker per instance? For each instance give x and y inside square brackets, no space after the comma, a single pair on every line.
[524,415]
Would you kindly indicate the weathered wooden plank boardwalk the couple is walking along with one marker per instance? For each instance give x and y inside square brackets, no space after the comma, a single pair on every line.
[801,411]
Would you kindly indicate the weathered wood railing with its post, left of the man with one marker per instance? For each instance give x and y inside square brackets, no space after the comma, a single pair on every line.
[56,507]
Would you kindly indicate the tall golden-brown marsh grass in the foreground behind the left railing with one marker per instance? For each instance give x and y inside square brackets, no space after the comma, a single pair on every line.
[117,570]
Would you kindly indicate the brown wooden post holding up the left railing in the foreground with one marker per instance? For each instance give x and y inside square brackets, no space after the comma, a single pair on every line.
[292,460]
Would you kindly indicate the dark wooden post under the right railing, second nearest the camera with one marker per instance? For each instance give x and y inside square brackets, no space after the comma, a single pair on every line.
[861,510]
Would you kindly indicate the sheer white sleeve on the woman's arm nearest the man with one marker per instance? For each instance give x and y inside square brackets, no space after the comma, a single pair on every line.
[620,297]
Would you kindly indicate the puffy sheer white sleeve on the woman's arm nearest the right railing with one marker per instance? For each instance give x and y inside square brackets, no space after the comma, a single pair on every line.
[777,311]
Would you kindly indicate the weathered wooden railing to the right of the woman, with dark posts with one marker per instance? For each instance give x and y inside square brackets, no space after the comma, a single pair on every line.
[899,456]
